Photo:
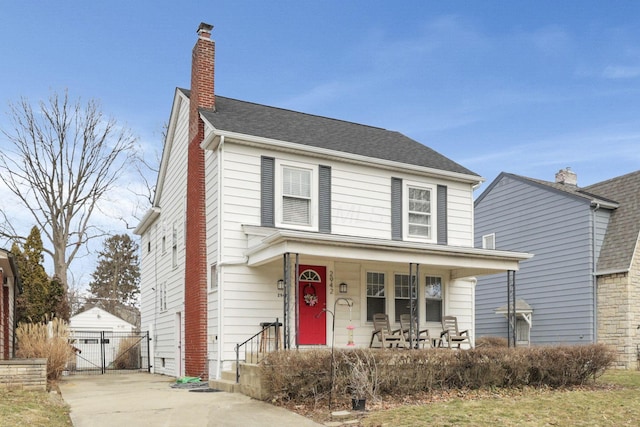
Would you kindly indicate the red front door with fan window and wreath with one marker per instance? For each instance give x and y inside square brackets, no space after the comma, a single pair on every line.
[312,298]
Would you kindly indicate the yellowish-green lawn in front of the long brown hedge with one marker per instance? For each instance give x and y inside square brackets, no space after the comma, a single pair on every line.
[614,405]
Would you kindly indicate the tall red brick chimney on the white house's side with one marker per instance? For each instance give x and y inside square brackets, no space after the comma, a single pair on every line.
[195,291]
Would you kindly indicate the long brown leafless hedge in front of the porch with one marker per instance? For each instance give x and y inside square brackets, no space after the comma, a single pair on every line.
[304,376]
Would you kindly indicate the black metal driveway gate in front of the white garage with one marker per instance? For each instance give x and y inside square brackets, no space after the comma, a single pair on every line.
[102,352]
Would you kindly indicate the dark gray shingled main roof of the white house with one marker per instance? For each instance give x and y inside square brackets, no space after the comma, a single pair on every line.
[285,125]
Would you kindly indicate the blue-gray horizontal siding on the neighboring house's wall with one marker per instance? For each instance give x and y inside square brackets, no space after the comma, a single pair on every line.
[557,281]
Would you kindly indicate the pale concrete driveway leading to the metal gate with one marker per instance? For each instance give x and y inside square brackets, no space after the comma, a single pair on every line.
[148,400]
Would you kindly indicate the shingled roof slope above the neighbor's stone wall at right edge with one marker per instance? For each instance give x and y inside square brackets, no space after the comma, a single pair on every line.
[624,225]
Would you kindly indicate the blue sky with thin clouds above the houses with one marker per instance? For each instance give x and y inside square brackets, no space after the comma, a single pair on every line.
[526,87]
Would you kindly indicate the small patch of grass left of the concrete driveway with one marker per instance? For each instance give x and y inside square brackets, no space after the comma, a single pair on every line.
[32,408]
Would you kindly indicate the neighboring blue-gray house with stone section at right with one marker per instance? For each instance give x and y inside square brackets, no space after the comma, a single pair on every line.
[583,285]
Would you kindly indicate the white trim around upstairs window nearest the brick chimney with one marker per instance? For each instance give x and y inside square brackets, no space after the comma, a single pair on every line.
[313,207]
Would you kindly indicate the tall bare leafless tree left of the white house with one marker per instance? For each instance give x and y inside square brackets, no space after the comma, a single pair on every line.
[67,157]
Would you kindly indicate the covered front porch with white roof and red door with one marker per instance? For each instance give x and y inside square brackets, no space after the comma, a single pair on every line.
[331,286]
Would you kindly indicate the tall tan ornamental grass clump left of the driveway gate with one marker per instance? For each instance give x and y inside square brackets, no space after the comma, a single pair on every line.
[48,341]
